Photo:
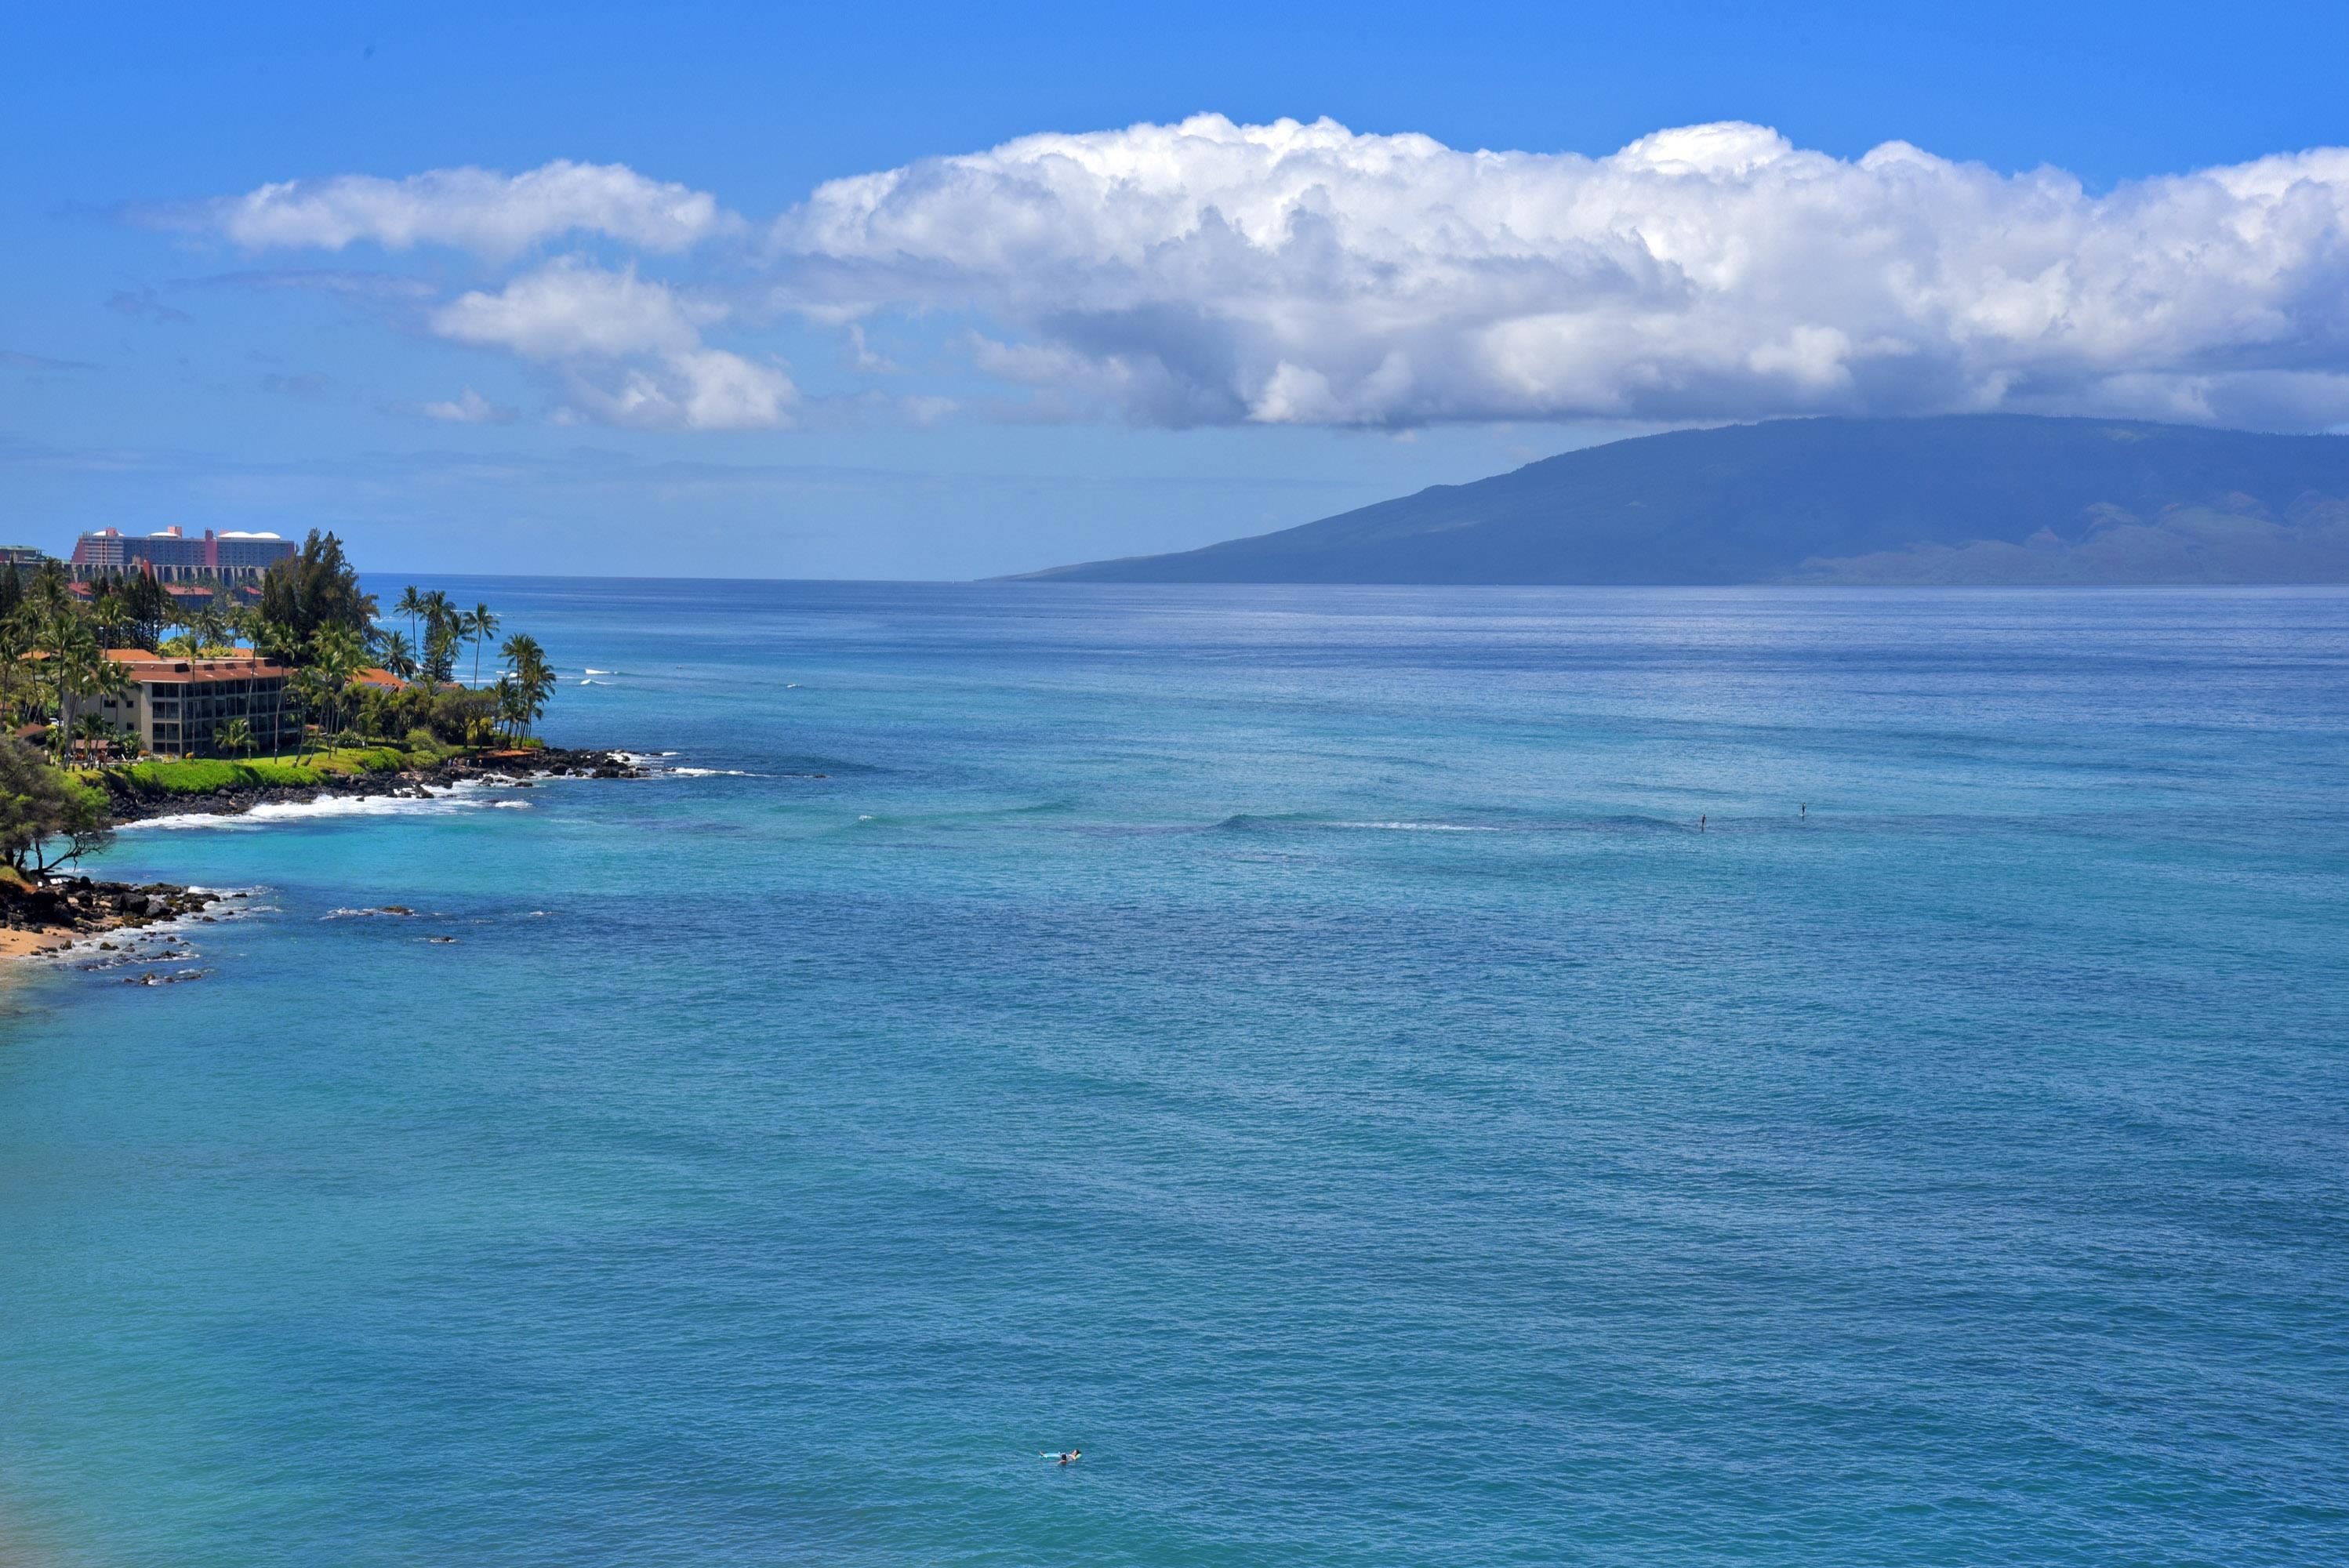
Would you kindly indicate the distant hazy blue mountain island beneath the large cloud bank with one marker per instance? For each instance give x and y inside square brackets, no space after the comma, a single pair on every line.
[1951,501]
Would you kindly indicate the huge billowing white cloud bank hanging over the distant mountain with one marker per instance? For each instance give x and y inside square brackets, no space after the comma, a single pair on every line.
[1305,273]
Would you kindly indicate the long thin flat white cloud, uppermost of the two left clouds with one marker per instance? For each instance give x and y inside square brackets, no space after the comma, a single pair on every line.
[478,210]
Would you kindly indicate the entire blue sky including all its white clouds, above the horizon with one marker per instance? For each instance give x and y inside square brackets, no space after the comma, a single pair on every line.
[1014,353]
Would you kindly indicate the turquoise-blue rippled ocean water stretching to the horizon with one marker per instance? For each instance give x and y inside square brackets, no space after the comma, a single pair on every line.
[1293,1046]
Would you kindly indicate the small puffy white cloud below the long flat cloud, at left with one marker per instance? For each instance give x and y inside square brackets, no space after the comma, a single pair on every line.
[628,351]
